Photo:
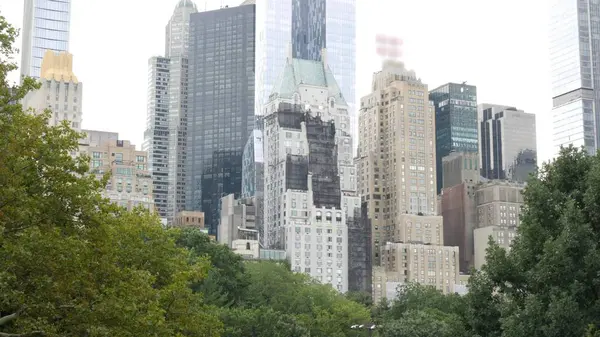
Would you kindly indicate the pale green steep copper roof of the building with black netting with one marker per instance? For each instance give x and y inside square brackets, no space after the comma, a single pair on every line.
[307,72]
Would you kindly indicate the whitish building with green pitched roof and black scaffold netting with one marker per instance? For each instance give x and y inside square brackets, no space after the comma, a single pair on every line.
[310,178]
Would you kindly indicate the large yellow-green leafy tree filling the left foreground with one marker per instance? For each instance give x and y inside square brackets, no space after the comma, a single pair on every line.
[72,263]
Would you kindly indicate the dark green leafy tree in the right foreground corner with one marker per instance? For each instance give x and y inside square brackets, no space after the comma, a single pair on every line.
[548,284]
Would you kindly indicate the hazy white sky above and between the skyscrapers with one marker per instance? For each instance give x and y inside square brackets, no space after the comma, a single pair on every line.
[499,46]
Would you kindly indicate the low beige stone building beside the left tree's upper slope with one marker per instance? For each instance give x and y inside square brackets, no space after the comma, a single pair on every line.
[130,183]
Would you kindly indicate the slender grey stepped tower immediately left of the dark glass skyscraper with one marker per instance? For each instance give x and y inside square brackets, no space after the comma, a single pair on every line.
[165,137]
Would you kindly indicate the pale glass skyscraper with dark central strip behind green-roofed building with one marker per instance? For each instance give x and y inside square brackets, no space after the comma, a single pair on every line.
[306,26]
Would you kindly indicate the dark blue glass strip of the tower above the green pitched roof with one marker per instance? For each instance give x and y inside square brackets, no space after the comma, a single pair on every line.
[308,29]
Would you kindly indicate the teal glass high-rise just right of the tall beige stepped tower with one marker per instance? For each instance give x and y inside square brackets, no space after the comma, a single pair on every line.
[455,121]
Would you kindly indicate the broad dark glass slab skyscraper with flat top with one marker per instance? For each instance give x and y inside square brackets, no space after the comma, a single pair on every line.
[221,112]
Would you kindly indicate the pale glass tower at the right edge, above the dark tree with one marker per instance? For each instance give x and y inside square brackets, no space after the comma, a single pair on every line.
[574,54]
